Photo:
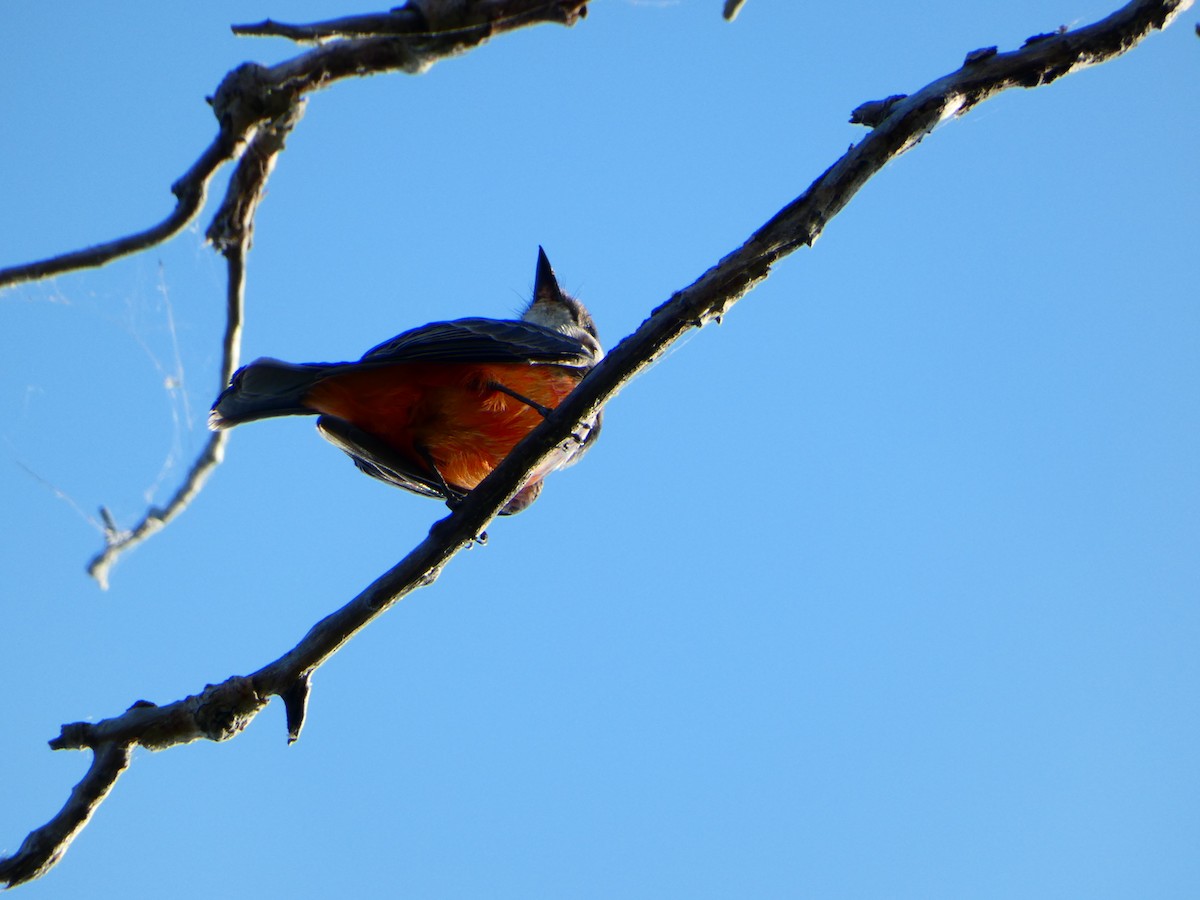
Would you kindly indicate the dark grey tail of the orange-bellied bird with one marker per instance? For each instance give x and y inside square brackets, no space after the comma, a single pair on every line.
[265,389]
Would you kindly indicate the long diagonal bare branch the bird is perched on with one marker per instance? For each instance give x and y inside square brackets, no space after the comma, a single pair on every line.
[223,711]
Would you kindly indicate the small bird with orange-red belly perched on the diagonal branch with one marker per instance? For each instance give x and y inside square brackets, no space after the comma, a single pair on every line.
[435,410]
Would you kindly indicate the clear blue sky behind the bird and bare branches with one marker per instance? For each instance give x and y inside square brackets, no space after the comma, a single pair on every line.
[887,587]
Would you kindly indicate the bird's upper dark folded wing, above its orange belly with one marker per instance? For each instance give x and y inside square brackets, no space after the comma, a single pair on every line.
[483,341]
